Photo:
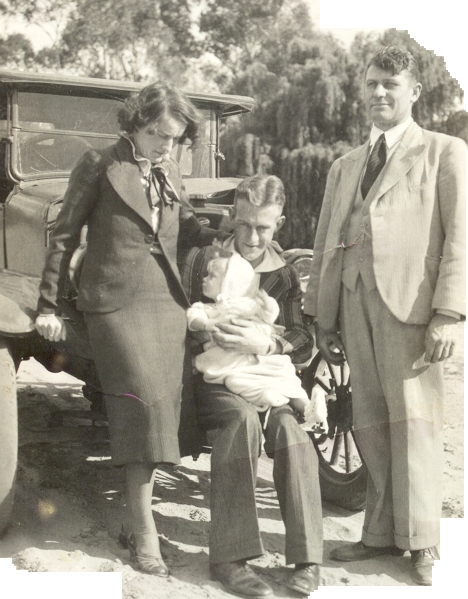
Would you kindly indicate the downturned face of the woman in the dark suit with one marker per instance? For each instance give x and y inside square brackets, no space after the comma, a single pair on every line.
[155,140]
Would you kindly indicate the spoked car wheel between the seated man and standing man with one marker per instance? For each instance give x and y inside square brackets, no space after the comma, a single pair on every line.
[343,475]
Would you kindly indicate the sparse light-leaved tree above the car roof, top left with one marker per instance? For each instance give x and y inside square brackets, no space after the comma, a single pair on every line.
[123,39]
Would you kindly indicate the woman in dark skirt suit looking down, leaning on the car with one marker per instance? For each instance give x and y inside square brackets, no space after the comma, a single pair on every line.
[132,198]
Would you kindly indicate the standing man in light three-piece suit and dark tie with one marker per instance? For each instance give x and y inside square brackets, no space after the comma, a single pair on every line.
[387,287]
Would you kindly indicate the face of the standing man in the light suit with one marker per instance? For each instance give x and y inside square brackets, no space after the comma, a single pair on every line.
[389,98]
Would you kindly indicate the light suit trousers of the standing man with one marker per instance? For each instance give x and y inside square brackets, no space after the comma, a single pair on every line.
[398,421]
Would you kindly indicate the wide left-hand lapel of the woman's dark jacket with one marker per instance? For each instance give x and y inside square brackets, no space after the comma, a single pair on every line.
[125,177]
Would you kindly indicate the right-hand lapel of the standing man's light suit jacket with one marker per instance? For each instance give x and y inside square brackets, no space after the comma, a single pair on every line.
[408,152]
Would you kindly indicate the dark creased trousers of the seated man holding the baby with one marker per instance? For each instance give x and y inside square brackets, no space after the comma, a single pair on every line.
[235,433]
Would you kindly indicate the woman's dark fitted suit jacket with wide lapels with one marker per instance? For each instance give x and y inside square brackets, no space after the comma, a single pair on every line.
[105,192]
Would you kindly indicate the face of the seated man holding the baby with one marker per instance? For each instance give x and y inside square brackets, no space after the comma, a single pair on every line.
[254,228]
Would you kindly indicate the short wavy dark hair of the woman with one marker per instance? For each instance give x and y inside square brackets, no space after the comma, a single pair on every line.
[155,100]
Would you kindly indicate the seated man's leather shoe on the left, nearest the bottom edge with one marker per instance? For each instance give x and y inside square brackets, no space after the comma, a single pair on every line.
[239,579]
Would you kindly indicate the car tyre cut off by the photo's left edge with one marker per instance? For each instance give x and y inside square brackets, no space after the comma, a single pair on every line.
[8,433]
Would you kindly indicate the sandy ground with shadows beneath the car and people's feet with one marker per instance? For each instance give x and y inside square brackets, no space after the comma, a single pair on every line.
[70,503]
